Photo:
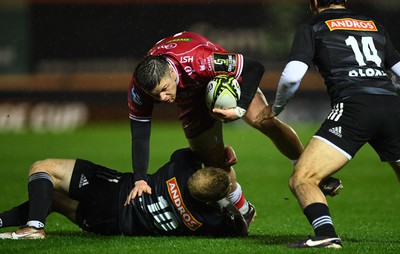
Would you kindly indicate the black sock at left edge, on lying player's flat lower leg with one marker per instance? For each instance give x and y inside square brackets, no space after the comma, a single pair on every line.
[15,217]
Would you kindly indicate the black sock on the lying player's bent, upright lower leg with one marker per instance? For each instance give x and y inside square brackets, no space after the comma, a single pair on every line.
[40,189]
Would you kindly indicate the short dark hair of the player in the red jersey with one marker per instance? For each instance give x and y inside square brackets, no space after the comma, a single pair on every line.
[150,71]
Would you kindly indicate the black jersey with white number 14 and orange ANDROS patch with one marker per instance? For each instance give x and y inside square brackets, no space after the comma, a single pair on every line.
[351,51]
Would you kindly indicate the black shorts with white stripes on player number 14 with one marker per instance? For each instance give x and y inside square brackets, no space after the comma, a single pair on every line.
[365,118]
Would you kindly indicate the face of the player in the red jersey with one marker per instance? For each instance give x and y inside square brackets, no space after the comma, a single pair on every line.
[165,91]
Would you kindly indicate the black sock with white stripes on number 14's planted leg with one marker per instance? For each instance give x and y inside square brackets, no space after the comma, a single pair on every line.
[319,217]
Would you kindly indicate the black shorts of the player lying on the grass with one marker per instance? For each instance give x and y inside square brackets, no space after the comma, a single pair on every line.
[97,190]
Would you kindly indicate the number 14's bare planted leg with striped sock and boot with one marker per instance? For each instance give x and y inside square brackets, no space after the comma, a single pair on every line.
[318,161]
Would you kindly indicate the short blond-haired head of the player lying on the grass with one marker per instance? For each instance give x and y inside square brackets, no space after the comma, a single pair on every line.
[209,184]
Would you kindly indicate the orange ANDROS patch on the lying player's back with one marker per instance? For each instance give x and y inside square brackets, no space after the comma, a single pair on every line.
[176,197]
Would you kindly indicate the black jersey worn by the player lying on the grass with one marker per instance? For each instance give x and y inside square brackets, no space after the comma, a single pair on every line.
[170,210]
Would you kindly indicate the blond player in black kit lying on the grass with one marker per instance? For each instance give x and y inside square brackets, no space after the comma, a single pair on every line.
[186,200]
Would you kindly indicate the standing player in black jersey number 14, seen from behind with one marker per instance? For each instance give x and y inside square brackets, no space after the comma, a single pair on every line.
[353,53]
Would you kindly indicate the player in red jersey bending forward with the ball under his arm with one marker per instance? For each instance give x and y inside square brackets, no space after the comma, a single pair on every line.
[177,70]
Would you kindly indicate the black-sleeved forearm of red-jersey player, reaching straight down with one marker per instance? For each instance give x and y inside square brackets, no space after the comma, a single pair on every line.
[140,132]
